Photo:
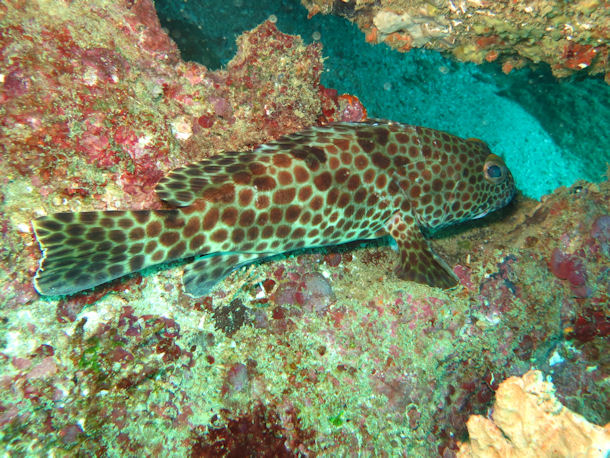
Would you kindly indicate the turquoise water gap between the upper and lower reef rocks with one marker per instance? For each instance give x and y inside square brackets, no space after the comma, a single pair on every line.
[551,133]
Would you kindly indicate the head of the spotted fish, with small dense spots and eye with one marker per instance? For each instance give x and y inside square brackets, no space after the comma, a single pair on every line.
[470,183]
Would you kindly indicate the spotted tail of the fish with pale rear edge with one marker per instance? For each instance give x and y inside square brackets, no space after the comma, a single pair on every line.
[82,250]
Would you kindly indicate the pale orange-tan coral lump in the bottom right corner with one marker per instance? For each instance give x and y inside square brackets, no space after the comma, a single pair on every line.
[529,421]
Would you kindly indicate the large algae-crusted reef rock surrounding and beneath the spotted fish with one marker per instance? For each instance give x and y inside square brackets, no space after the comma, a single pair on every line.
[319,352]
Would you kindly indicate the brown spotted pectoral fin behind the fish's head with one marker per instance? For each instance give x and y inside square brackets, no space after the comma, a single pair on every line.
[418,262]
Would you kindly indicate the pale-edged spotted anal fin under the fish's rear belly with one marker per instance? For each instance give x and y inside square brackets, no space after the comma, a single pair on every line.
[203,273]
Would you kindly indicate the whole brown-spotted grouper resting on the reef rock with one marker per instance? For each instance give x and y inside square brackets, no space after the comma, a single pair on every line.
[326,185]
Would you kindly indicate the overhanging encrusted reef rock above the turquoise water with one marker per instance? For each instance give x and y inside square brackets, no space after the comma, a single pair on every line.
[569,36]
